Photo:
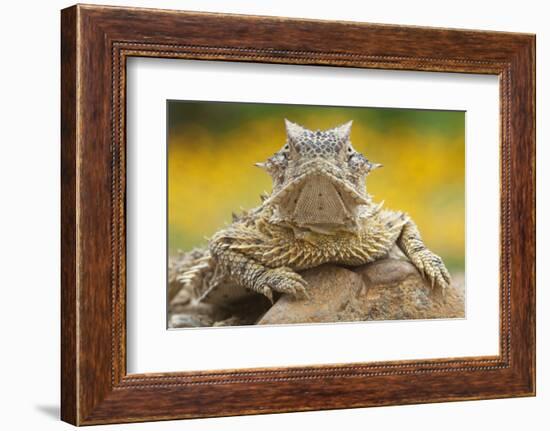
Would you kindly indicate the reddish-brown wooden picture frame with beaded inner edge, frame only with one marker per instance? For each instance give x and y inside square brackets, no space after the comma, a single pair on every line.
[95,43]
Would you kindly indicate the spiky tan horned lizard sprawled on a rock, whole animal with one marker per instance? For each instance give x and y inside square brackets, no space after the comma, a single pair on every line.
[319,212]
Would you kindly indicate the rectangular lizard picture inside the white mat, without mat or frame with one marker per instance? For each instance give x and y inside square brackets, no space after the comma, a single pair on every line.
[302,214]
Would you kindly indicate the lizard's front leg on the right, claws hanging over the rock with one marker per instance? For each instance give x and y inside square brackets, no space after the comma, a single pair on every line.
[428,263]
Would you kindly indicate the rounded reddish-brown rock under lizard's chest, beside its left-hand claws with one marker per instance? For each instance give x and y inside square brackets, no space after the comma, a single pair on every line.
[330,290]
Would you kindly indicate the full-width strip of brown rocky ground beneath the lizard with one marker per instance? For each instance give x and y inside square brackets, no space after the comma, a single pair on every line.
[388,289]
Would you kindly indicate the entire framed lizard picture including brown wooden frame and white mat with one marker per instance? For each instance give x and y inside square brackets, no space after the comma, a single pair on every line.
[264,214]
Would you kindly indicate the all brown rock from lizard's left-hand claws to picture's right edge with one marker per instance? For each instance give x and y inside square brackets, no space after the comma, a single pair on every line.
[389,289]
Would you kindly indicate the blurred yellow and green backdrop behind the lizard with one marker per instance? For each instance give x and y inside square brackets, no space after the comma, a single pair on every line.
[212,148]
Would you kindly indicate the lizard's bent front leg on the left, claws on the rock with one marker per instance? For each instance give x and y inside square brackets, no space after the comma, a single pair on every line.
[230,252]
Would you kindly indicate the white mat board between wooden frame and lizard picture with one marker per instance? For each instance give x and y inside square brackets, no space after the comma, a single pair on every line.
[152,348]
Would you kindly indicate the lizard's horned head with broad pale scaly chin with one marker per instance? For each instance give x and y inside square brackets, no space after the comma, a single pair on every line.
[318,178]
